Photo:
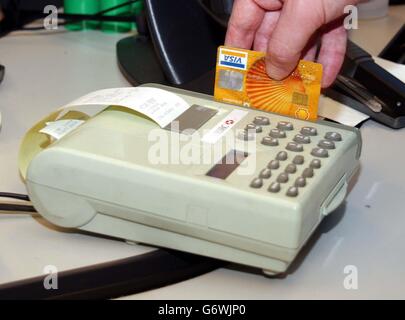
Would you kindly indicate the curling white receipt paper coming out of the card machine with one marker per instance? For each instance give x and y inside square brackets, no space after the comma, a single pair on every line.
[159,105]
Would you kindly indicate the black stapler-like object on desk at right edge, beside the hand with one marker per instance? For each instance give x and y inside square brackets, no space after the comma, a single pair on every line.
[369,88]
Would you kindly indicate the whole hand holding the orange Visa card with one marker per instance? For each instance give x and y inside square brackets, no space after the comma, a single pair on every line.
[290,30]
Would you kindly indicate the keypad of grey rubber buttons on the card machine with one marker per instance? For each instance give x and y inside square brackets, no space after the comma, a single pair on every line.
[293,177]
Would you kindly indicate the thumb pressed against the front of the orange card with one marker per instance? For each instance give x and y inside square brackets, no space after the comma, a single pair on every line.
[298,22]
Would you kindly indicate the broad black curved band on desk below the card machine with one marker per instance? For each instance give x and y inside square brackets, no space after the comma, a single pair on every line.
[115,279]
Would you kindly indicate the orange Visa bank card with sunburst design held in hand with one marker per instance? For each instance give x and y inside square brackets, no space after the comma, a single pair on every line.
[241,79]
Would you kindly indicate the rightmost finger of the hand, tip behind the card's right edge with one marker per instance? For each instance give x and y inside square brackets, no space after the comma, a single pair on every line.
[332,53]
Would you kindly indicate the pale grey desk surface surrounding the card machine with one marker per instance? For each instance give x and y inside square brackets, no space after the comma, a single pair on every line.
[46,71]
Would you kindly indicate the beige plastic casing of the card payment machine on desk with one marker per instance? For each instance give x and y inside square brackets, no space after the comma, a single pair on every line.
[99,178]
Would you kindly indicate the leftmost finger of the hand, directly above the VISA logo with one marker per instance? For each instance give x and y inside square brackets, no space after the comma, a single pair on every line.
[245,19]
